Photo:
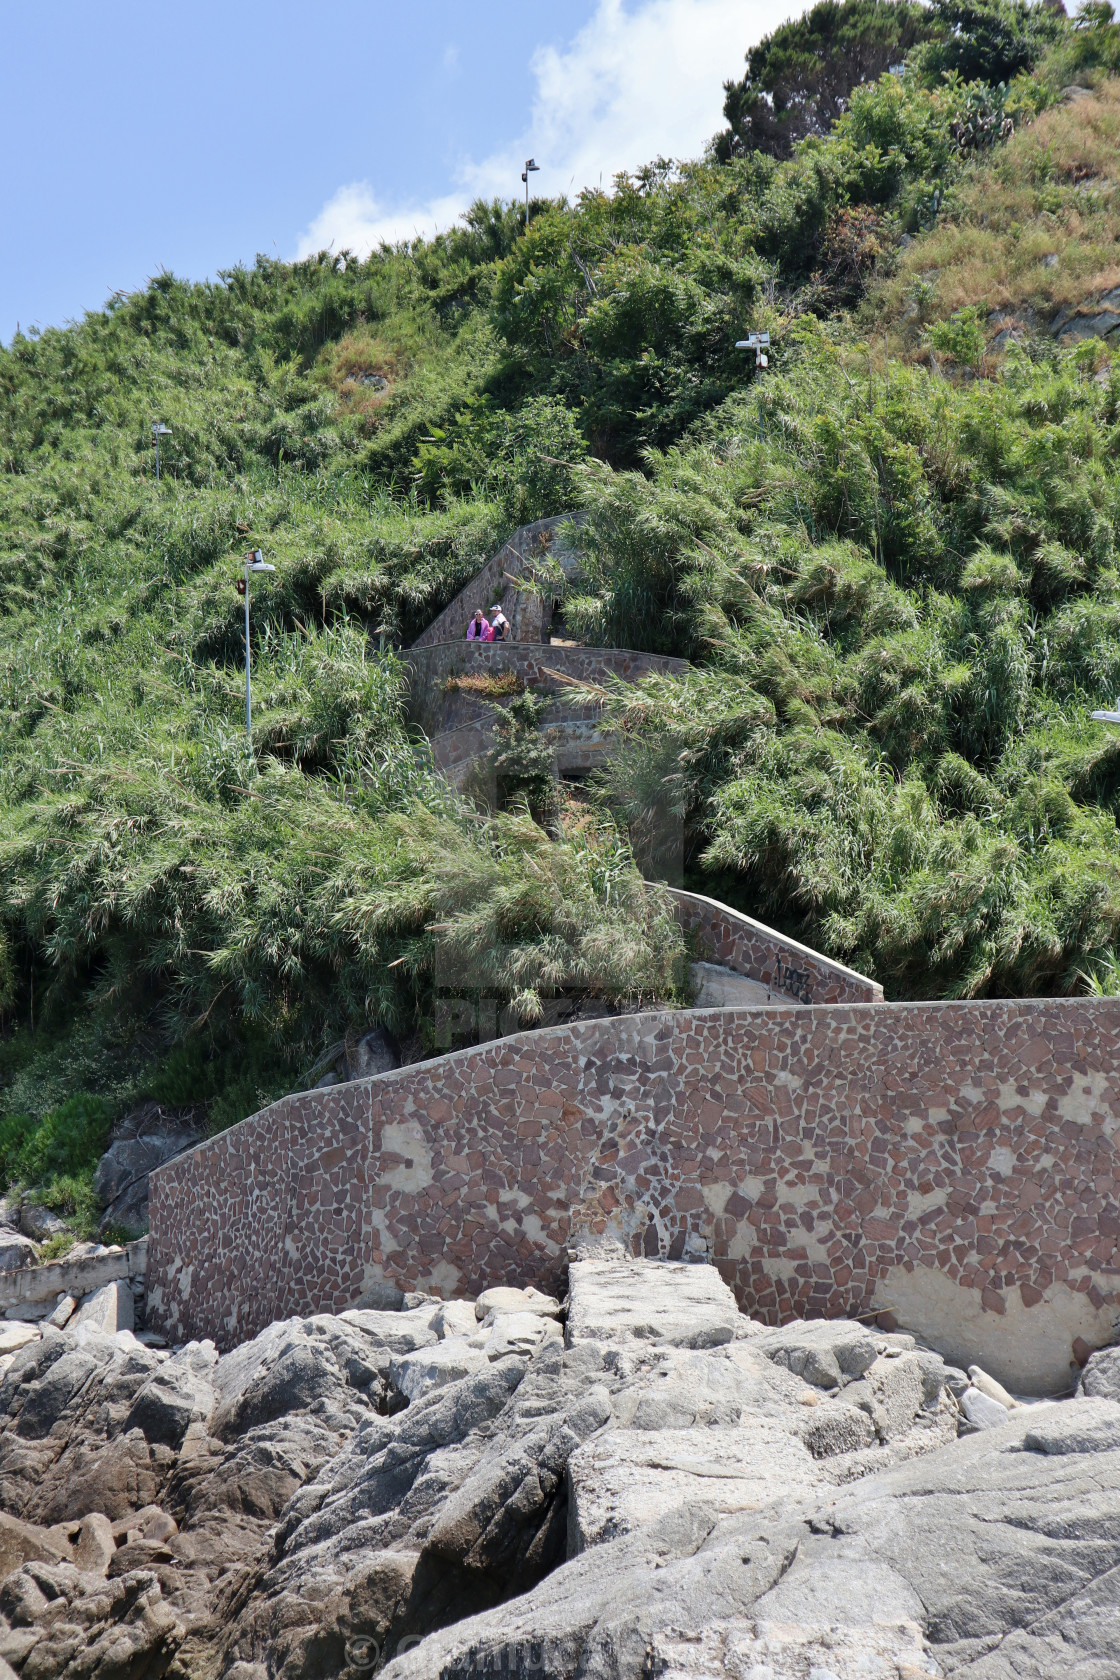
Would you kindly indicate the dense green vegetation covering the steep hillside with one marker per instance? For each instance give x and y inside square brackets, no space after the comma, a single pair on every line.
[891,560]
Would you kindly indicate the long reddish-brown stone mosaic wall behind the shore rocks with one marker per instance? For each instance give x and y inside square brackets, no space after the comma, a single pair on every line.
[951,1162]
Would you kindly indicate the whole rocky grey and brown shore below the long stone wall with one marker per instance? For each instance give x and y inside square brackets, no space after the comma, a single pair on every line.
[634,1483]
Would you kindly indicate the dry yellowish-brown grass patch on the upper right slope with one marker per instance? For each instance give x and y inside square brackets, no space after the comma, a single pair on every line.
[1034,228]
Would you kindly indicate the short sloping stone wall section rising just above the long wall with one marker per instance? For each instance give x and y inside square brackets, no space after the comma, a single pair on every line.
[753,948]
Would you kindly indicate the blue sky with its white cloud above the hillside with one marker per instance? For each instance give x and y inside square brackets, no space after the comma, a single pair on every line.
[147,137]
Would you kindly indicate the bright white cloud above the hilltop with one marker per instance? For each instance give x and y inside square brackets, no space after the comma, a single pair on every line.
[634,85]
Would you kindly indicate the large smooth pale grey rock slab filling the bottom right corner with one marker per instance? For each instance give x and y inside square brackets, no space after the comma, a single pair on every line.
[995,1553]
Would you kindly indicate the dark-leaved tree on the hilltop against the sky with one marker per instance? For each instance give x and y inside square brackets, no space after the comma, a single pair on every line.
[800,80]
